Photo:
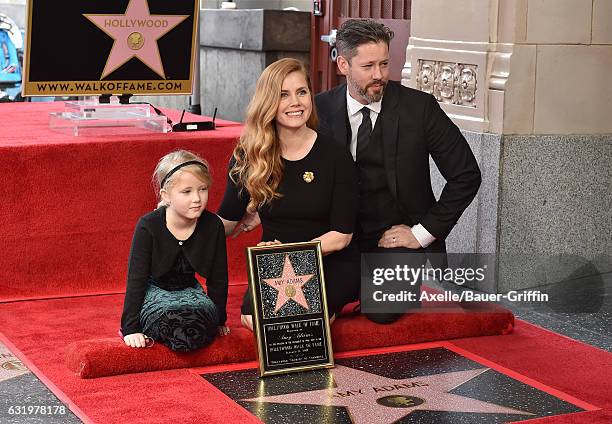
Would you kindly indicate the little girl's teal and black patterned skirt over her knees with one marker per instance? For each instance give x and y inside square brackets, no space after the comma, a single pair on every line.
[183,319]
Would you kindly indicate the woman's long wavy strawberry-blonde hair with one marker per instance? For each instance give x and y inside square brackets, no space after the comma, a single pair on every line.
[258,167]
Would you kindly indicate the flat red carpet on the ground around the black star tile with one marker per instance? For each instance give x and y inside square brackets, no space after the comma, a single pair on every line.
[178,395]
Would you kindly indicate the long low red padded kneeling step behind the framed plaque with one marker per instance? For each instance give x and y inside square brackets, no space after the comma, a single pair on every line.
[106,357]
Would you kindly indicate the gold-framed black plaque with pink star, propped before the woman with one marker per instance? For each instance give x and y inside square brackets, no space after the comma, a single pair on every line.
[291,321]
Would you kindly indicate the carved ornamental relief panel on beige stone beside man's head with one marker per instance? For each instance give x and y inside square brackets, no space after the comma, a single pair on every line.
[451,83]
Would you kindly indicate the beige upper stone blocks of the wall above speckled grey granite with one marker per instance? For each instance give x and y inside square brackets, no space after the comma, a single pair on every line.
[515,66]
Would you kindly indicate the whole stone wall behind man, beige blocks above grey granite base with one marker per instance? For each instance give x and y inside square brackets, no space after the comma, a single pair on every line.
[528,82]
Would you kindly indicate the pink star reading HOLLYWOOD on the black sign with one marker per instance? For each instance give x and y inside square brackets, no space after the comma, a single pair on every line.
[135,33]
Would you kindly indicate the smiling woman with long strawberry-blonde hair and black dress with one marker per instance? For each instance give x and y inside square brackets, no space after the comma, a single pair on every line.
[303,186]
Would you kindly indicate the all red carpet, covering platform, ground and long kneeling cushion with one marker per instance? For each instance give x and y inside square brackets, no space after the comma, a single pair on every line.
[69,208]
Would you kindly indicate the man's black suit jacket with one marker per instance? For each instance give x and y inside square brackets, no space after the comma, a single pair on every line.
[414,127]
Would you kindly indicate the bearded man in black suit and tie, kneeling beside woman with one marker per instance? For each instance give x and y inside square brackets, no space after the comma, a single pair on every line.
[391,131]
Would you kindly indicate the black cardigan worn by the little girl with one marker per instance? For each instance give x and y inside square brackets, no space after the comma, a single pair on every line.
[154,252]
